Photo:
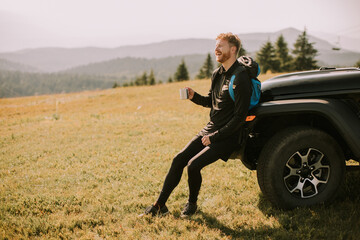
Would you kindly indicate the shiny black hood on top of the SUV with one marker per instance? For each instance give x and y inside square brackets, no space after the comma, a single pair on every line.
[311,84]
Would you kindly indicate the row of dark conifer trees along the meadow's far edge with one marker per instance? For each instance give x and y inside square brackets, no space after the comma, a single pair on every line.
[271,57]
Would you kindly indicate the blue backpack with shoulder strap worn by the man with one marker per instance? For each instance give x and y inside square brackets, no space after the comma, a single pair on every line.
[253,70]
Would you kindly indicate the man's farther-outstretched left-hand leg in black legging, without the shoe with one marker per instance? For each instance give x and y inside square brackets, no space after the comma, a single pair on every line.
[175,172]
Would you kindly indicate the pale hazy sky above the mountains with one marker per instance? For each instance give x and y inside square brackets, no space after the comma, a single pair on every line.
[111,23]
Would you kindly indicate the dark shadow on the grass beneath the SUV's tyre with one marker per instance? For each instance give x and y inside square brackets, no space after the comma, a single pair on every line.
[339,220]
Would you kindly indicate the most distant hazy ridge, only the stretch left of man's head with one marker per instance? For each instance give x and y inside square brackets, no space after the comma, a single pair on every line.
[56,59]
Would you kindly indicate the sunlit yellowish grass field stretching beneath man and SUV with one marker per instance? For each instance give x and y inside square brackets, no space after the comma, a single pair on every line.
[84,165]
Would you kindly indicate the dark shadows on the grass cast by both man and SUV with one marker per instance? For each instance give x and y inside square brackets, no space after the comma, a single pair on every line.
[340,220]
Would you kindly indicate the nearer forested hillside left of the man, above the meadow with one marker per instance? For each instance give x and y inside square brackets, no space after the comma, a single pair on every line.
[93,76]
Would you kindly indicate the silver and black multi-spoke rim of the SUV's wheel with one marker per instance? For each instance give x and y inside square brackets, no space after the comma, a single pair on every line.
[306,173]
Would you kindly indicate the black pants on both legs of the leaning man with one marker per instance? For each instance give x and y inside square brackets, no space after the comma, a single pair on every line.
[195,156]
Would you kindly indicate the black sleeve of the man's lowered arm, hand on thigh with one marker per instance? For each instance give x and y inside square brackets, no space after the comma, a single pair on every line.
[242,94]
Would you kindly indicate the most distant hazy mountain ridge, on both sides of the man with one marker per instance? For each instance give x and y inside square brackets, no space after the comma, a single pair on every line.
[58,59]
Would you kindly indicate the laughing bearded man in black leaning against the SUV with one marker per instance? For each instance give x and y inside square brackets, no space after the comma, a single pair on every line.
[219,138]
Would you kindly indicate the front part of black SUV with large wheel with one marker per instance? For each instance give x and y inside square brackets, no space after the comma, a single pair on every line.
[300,136]
